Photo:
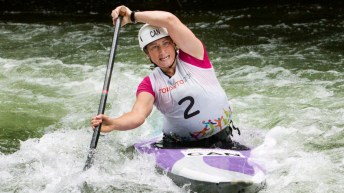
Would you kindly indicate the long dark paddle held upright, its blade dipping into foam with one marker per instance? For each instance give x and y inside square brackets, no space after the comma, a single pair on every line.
[96,132]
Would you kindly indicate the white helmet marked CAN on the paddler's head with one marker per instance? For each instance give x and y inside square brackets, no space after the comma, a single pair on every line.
[149,33]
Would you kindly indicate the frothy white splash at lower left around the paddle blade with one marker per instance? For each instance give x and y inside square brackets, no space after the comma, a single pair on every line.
[54,162]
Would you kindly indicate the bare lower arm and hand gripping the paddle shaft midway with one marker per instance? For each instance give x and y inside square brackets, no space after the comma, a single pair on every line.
[131,120]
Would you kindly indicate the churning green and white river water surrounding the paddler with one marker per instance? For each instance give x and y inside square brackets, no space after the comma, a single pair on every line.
[282,69]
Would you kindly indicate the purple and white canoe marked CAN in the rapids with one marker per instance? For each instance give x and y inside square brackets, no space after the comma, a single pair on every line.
[208,169]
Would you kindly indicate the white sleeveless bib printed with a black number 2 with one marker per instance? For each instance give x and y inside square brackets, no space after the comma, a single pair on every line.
[192,101]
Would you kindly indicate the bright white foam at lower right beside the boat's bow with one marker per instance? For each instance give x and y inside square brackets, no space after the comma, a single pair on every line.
[291,168]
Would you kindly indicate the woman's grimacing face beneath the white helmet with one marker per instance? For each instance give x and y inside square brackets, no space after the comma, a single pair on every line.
[162,52]
